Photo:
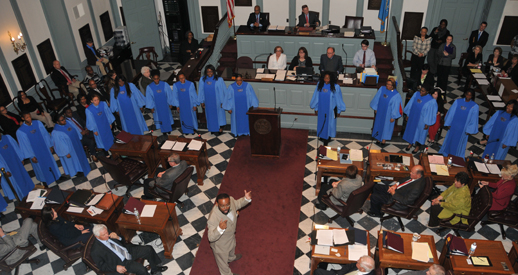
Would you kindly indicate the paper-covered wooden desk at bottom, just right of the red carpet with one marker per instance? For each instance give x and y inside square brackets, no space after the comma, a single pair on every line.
[343,254]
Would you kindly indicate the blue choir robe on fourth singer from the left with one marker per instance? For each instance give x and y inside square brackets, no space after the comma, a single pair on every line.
[98,119]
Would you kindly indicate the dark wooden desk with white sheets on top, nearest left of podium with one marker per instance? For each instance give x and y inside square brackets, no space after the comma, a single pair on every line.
[197,156]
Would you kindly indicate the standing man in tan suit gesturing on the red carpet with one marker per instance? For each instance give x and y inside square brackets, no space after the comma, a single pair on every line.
[222,228]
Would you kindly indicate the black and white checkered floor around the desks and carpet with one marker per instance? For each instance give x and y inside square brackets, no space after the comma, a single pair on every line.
[199,201]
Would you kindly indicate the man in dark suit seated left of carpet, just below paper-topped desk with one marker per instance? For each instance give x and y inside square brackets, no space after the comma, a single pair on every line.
[165,178]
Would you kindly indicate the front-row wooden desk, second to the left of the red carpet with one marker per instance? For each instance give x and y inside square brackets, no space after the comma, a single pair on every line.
[107,217]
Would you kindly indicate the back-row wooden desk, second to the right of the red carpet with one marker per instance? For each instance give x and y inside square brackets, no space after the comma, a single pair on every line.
[374,170]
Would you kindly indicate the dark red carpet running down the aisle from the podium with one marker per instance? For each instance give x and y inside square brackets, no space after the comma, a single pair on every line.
[267,229]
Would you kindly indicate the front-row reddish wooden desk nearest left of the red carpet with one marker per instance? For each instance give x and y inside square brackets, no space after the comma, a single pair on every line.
[159,224]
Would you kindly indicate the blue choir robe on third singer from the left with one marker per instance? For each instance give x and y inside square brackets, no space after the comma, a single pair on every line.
[67,140]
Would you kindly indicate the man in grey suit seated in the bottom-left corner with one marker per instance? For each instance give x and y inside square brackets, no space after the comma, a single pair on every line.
[21,239]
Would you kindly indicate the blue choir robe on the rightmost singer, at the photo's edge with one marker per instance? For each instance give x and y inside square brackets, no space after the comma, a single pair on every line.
[502,129]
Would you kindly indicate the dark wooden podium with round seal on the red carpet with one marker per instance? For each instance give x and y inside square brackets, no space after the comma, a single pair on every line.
[265,131]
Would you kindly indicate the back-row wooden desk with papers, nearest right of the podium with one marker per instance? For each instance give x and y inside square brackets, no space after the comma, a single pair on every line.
[333,168]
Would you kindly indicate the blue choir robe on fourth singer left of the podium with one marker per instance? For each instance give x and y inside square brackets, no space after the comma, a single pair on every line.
[160,97]
